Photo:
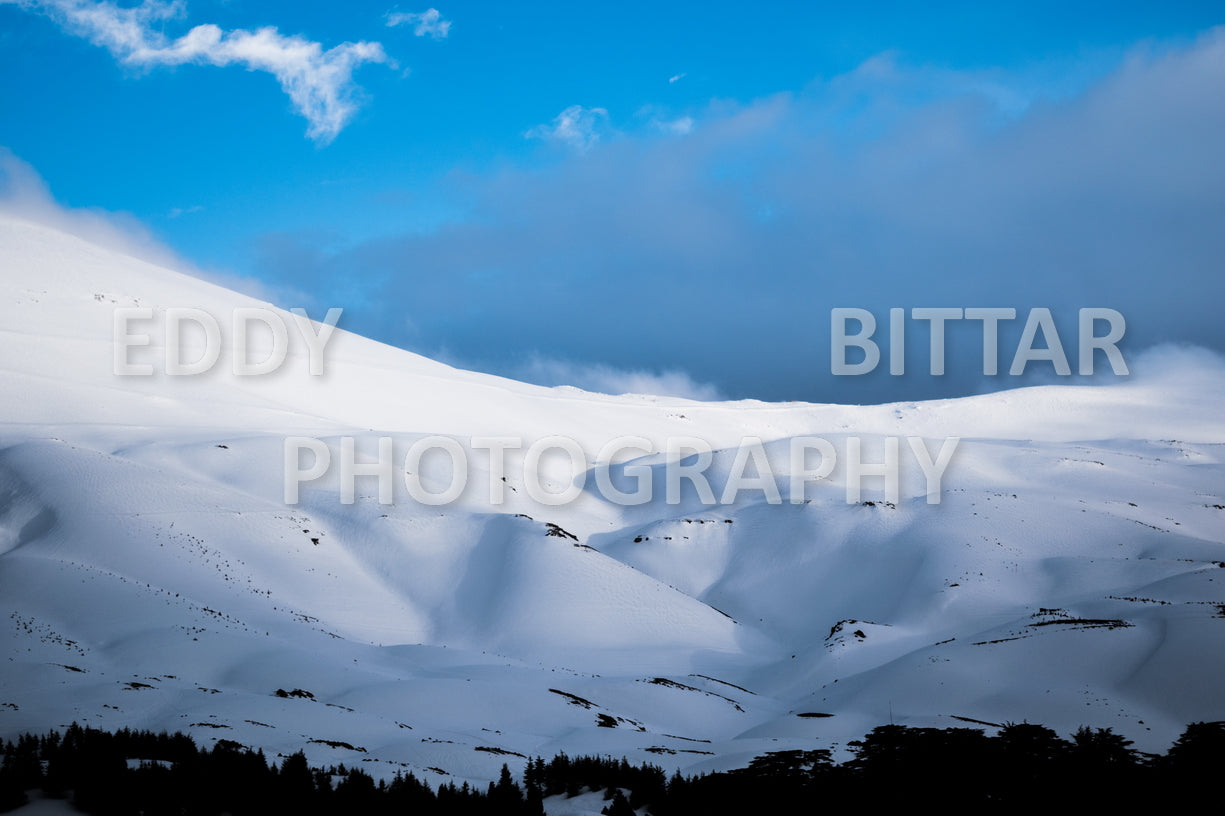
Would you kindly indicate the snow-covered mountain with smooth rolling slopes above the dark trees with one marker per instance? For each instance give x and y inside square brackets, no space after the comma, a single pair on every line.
[153,574]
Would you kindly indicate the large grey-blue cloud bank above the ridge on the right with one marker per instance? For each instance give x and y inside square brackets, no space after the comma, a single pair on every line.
[720,252]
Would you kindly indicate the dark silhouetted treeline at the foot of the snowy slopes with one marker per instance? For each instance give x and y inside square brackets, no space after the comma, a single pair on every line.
[1022,768]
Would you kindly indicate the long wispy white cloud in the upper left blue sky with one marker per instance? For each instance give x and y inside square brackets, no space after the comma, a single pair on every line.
[319,83]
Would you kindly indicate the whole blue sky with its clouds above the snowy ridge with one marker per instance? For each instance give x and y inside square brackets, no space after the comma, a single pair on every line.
[628,197]
